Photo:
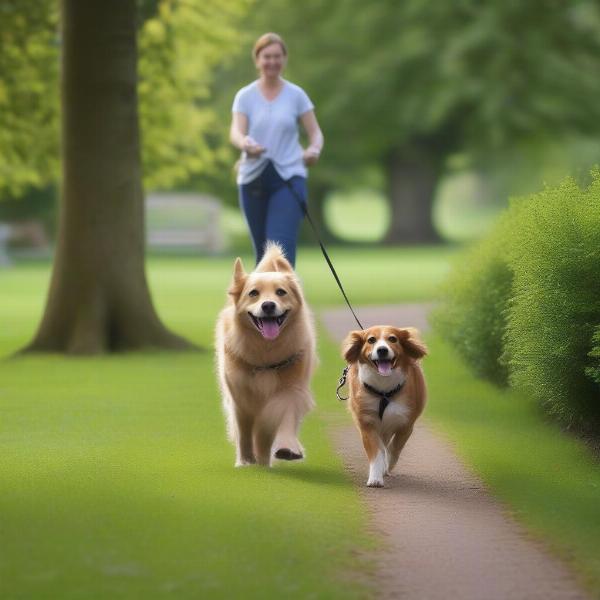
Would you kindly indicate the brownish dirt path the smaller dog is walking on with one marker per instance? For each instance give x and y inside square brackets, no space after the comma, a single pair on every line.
[445,536]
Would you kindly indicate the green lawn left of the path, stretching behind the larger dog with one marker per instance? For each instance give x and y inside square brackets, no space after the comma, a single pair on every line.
[117,479]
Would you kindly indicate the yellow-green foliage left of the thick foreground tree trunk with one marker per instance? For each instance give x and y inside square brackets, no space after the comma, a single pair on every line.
[28,95]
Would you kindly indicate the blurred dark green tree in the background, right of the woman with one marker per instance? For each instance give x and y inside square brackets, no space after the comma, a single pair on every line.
[406,84]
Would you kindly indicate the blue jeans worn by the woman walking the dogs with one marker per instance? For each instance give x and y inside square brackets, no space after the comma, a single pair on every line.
[272,212]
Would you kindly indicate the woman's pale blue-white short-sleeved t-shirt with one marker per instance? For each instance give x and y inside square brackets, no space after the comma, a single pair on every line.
[274,125]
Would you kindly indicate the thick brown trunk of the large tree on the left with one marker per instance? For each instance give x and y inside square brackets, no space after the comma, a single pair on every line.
[99,299]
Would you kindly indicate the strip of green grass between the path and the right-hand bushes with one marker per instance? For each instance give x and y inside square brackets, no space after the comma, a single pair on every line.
[547,479]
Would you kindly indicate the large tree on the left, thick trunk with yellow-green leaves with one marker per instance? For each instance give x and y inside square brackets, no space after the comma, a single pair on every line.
[99,299]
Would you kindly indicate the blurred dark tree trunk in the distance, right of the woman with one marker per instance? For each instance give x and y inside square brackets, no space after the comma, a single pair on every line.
[412,179]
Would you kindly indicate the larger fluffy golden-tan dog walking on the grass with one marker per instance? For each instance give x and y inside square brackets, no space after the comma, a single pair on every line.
[265,351]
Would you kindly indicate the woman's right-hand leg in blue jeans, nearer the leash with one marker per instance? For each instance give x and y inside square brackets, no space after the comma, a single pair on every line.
[285,216]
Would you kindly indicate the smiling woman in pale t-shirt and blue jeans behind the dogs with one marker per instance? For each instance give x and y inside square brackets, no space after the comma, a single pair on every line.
[265,128]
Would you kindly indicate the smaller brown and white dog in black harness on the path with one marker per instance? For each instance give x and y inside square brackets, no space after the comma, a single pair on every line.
[386,392]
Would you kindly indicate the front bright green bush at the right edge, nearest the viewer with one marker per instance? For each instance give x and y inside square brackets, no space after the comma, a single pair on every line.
[556,300]
